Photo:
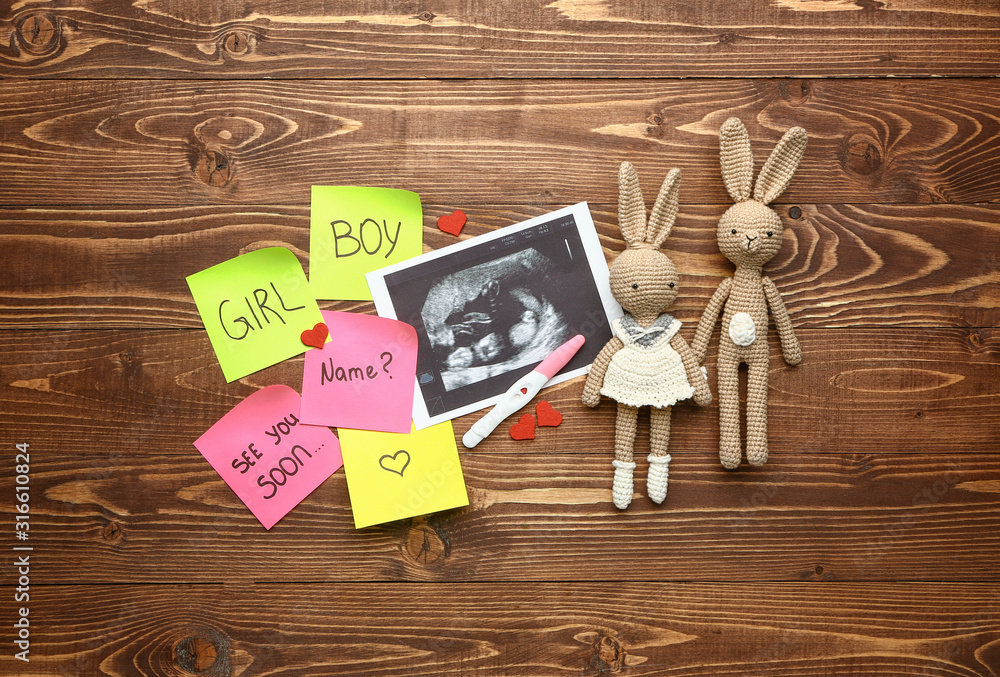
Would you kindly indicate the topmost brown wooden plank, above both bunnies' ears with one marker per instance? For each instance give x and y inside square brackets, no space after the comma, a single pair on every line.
[453,39]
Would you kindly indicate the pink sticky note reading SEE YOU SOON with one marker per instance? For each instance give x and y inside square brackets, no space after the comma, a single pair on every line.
[270,458]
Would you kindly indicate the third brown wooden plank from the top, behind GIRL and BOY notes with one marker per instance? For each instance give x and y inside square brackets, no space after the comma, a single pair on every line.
[840,266]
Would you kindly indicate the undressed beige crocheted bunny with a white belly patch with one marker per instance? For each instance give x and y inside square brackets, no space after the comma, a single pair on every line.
[749,234]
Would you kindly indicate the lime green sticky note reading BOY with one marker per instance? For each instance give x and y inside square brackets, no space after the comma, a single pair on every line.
[353,231]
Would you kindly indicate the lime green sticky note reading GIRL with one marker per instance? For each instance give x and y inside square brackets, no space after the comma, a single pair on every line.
[255,308]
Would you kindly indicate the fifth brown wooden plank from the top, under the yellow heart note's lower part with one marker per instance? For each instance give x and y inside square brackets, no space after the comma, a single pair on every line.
[129,515]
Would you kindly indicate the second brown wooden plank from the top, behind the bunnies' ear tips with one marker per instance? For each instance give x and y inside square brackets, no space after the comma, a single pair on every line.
[457,142]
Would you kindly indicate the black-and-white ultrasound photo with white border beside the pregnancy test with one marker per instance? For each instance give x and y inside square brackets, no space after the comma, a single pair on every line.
[489,309]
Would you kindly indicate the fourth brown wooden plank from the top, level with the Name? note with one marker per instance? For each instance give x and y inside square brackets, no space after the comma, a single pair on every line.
[863,391]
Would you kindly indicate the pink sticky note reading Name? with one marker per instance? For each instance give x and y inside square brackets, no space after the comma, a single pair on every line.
[364,377]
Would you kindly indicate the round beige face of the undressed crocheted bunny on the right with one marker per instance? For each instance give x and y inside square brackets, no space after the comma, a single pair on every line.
[750,233]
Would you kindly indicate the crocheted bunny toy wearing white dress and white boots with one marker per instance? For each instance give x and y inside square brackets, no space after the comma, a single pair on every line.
[646,362]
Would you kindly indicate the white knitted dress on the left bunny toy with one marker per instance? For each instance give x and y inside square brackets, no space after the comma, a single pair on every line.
[646,371]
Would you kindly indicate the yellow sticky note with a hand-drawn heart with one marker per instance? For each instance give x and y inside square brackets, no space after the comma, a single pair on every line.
[391,476]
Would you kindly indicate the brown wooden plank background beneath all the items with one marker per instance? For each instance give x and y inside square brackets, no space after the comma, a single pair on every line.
[143,141]
